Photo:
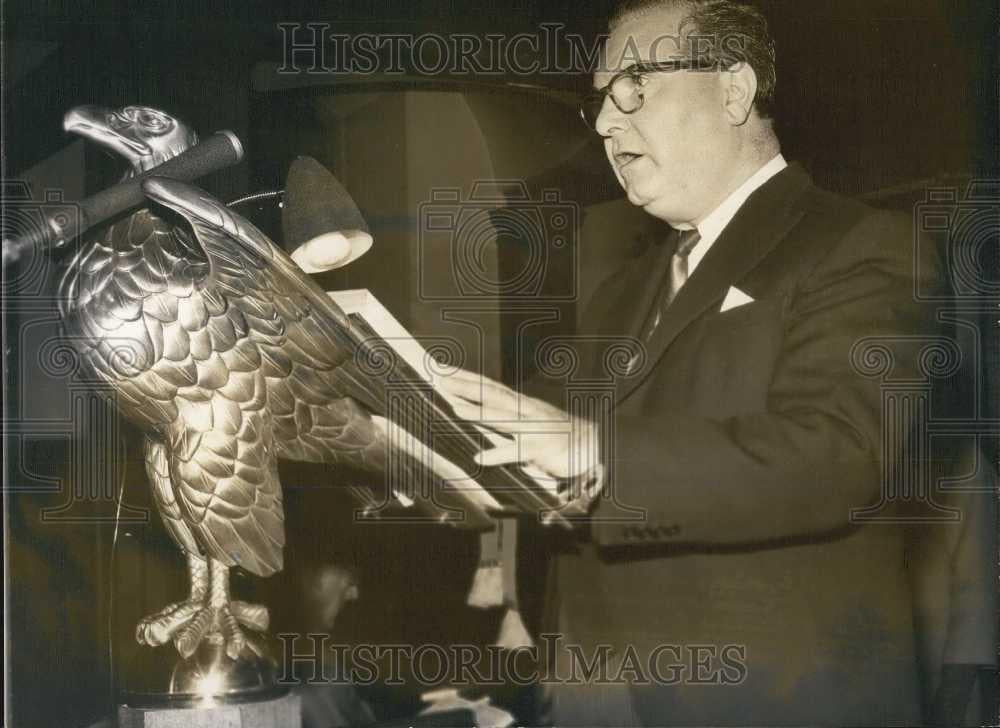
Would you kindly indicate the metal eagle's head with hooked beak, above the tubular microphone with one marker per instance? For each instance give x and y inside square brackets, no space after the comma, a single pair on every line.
[144,136]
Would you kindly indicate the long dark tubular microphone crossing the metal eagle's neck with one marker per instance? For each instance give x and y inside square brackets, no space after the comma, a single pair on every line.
[218,151]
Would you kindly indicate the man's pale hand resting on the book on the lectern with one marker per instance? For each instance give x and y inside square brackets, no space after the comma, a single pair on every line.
[562,446]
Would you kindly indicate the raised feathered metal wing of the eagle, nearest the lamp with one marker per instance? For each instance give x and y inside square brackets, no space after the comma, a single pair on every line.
[296,337]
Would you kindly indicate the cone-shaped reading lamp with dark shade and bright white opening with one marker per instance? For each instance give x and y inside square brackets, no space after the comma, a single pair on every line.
[321,225]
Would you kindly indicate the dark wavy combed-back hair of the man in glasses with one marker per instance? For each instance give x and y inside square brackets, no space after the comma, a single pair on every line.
[727,31]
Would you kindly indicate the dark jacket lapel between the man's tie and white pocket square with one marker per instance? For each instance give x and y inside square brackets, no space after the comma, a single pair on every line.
[759,225]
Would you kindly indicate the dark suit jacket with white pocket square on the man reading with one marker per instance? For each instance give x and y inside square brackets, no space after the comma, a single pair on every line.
[747,440]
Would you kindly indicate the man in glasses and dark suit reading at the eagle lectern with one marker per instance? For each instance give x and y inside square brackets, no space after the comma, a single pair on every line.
[743,429]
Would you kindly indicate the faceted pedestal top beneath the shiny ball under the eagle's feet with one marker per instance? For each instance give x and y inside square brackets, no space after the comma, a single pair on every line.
[283,712]
